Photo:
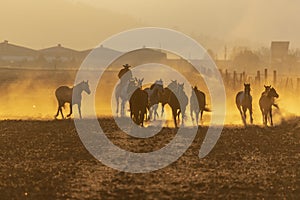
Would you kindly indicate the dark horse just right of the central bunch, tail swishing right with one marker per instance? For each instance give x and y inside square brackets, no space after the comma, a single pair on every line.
[197,104]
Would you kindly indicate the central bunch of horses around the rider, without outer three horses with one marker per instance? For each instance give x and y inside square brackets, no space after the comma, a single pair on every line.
[143,100]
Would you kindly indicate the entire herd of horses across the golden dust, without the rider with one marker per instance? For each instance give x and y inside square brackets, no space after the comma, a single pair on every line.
[143,103]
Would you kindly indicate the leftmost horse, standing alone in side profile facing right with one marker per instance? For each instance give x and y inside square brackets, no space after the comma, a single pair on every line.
[64,95]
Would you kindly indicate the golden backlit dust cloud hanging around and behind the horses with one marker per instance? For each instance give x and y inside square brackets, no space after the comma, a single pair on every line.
[29,94]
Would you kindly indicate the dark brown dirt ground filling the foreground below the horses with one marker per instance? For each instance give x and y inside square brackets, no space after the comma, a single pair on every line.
[46,160]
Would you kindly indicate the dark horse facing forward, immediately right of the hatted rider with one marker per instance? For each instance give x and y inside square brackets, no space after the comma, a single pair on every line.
[138,102]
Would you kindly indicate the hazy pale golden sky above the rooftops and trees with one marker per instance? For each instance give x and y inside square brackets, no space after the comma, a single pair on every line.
[83,24]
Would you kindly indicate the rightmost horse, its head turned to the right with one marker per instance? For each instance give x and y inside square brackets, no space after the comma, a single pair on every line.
[266,102]
